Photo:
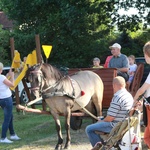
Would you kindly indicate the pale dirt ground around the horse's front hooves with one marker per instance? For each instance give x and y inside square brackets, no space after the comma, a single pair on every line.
[79,142]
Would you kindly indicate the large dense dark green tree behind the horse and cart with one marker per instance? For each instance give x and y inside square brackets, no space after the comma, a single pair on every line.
[71,27]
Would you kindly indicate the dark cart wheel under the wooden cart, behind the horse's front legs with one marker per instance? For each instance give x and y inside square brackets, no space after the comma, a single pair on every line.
[75,122]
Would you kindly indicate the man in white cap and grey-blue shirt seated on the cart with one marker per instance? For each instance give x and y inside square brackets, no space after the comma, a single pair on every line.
[119,61]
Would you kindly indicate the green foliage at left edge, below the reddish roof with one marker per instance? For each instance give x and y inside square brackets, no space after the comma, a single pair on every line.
[4,47]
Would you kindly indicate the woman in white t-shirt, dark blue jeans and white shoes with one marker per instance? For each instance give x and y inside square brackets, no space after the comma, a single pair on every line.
[7,106]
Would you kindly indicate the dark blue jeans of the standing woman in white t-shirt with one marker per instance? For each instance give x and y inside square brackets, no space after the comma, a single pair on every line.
[7,107]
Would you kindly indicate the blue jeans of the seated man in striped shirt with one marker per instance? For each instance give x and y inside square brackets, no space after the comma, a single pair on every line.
[99,126]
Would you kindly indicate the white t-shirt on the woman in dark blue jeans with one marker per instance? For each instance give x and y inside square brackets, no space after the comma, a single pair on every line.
[4,89]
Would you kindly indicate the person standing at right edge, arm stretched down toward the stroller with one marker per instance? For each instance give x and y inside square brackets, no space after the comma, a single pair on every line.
[145,88]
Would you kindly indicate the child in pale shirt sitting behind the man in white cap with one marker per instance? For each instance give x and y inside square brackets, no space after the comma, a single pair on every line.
[132,69]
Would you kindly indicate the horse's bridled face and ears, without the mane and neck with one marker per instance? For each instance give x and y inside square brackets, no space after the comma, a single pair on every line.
[35,76]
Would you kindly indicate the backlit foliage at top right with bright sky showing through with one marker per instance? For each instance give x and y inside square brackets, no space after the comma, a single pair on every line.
[131,22]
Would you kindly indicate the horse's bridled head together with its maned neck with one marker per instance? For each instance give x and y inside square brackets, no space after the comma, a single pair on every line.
[42,76]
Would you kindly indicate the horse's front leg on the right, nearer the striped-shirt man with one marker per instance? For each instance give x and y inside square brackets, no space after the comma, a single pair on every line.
[67,126]
